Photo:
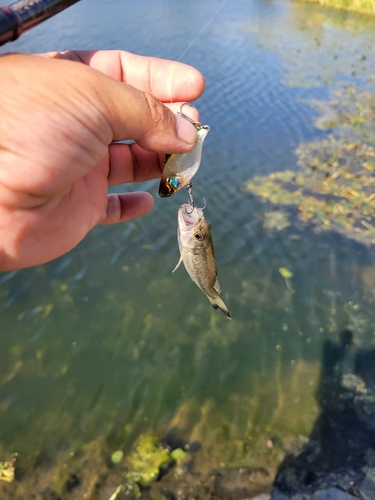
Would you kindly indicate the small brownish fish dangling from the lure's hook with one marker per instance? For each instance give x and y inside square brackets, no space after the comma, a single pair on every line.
[197,253]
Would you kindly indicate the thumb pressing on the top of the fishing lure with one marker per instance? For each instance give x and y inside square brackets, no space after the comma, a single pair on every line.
[128,112]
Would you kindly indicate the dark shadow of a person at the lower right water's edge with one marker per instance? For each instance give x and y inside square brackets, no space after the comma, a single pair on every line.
[340,451]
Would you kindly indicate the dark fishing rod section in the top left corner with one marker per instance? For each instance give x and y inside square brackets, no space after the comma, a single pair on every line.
[22,15]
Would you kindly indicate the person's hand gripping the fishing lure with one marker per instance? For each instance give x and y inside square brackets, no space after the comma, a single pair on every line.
[59,115]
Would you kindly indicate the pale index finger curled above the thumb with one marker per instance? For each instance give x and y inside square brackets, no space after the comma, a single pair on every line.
[168,81]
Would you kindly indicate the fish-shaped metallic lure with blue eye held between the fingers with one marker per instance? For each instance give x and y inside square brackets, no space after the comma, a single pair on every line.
[179,169]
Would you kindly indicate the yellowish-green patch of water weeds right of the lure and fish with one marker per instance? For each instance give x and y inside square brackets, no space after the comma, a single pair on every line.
[335,188]
